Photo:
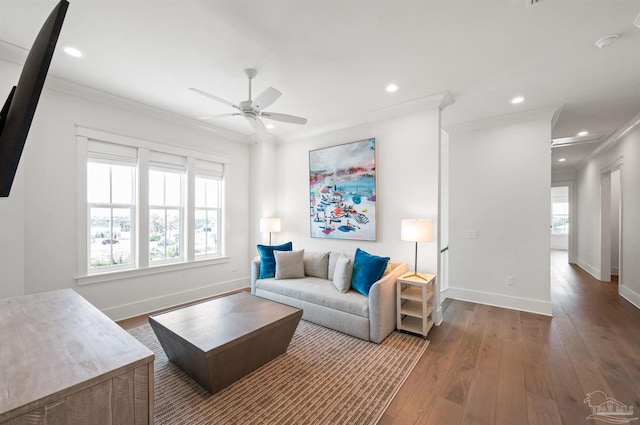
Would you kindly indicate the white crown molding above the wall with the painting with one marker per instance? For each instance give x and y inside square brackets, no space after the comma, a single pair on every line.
[439,100]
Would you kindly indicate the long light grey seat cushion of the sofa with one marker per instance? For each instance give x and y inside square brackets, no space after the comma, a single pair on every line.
[318,291]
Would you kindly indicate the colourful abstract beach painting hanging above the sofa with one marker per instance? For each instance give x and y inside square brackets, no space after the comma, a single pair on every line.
[342,191]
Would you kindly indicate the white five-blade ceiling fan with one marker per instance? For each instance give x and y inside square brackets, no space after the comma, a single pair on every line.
[252,110]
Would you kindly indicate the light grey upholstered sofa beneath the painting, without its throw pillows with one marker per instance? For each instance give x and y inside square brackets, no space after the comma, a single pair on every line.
[371,317]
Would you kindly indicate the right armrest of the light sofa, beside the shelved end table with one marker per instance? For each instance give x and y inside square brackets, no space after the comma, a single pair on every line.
[382,304]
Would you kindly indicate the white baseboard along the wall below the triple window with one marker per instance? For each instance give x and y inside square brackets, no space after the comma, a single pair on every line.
[149,305]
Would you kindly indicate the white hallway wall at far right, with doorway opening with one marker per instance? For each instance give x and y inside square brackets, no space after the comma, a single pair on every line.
[627,151]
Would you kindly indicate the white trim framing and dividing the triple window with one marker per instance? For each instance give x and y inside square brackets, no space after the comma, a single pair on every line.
[83,277]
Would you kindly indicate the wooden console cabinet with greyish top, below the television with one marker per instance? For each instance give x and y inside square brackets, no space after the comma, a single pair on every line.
[62,361]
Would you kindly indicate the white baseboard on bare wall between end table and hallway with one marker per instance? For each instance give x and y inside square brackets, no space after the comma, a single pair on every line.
[499,300]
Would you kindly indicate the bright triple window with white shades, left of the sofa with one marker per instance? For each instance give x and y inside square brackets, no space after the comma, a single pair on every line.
[146,206]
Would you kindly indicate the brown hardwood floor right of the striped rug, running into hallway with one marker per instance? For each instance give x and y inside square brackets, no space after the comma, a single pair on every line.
[493,366]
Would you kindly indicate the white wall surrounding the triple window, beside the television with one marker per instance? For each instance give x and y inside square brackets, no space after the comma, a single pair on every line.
[46,192]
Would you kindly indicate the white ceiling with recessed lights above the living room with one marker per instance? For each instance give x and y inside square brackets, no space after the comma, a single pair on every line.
[332,59]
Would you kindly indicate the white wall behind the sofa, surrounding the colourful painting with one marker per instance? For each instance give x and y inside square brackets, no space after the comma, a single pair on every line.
[407,186]
